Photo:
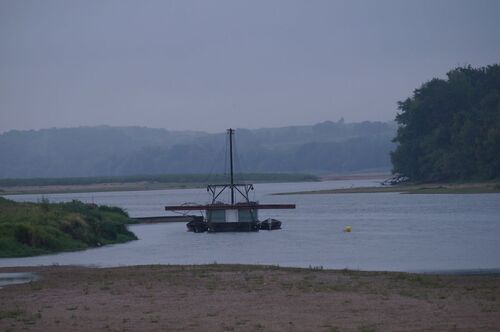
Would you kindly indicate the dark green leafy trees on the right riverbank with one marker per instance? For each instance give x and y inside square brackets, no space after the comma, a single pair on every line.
[450,129]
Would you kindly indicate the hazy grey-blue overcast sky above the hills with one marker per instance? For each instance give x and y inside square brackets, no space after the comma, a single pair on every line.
[211,65]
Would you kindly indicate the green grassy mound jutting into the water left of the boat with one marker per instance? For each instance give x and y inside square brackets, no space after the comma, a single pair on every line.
[28,229]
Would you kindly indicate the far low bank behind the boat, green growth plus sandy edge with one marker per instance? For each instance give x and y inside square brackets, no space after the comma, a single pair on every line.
[138,182]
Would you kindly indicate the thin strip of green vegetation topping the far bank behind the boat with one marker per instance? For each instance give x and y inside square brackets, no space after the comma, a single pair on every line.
[164,179]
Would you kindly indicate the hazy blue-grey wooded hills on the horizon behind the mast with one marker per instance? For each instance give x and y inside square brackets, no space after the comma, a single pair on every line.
[327,147]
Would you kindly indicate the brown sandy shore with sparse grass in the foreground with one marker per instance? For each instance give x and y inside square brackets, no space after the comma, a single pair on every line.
[247,298]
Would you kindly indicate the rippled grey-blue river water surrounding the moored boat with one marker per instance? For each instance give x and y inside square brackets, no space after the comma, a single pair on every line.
[390,231]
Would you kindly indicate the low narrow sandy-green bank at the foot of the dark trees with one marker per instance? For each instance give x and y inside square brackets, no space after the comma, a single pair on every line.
[436,188]
